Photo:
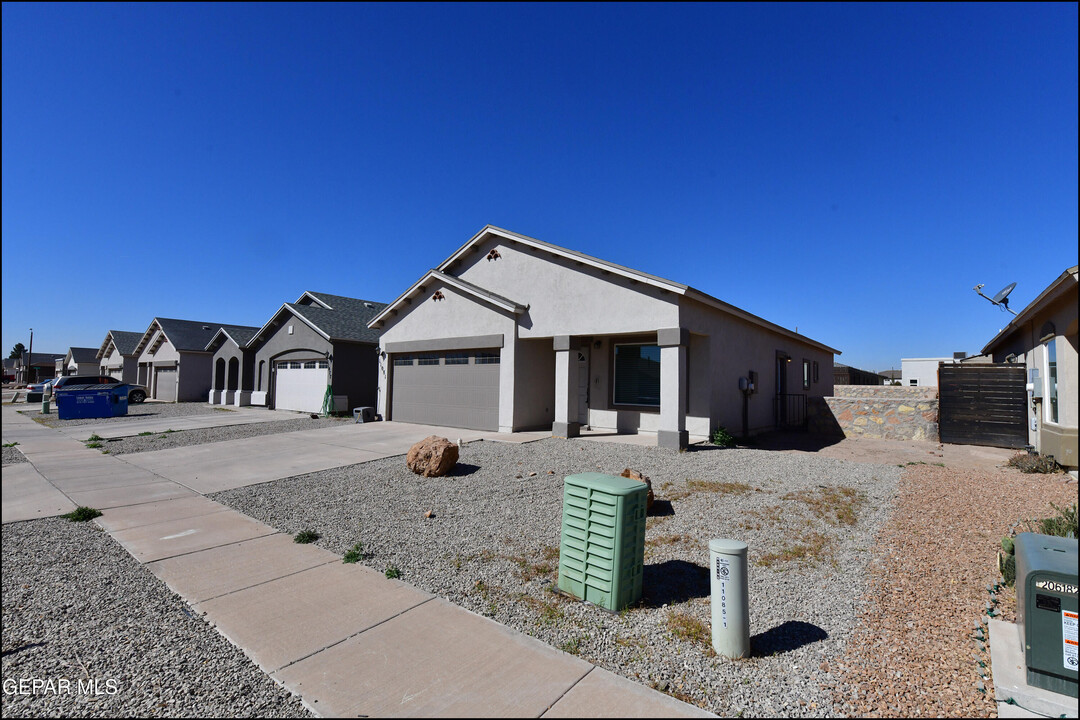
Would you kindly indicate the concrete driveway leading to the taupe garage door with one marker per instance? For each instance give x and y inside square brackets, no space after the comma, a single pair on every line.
[236,464]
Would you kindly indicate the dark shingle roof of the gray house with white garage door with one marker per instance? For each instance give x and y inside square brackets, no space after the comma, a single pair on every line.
[333,317]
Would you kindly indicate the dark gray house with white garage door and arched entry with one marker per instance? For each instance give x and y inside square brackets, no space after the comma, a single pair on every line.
[321,342]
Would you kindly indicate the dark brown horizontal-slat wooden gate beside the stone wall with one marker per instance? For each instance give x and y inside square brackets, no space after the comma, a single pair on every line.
[983,405]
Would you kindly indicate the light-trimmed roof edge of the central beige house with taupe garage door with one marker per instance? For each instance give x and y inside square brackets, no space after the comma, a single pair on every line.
[442,274]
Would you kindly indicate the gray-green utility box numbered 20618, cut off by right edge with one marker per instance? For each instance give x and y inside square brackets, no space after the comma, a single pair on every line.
[1047,610]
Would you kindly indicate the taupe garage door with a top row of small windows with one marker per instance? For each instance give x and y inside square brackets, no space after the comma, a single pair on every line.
[453,389]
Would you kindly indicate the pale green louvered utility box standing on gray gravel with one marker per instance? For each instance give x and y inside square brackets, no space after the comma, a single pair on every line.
[602,551]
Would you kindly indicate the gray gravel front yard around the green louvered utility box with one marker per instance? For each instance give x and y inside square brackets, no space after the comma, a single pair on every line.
[492,547]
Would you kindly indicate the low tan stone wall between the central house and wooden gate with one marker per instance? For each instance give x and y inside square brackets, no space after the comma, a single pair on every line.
[884,412]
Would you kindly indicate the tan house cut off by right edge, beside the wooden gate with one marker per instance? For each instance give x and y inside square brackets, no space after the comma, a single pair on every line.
[1044,337]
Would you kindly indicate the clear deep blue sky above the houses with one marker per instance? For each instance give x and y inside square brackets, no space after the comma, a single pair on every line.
[849,170]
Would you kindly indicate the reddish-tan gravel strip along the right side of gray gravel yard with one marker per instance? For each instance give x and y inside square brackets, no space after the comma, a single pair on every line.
[914,654]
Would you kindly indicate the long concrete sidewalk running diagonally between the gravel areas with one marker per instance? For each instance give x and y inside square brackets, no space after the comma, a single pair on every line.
[343,637]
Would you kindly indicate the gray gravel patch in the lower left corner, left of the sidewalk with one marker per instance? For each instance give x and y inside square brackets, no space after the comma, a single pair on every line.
[78,608]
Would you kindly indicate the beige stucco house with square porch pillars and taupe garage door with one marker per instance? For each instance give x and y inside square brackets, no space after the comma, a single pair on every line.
[511,333]
